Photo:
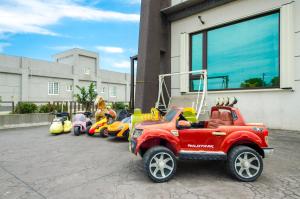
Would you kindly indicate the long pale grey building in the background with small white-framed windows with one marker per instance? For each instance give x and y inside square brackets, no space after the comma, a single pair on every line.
[26,79]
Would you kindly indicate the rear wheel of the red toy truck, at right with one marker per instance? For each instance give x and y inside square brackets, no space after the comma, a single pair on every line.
[245,164]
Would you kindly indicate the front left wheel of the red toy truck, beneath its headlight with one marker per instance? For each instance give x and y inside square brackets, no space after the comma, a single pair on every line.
[160,164]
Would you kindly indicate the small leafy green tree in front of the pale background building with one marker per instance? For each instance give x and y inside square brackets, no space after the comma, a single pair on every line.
[87,96]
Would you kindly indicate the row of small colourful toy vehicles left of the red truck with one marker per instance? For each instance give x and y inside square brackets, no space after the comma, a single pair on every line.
[107,122]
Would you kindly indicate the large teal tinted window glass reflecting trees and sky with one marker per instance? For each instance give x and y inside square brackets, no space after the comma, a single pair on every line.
[242,55]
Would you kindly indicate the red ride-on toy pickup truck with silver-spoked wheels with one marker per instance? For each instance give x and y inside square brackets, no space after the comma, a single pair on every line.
[225,136]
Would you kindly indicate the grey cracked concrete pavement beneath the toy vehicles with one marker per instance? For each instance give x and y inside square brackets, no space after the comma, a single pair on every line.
[34,164]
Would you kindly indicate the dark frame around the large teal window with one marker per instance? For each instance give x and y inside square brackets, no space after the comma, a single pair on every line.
[205,49]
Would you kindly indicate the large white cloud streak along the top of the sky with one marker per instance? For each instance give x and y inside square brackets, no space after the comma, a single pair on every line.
[33,16]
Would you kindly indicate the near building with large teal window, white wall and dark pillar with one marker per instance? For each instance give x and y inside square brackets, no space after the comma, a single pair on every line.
[250,49]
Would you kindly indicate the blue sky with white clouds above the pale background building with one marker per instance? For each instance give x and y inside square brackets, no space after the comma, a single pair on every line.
[41,28]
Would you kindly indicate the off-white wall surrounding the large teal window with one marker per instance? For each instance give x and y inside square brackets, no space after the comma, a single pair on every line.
[277,108]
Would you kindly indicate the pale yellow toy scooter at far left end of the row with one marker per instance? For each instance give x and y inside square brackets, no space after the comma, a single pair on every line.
[61,124]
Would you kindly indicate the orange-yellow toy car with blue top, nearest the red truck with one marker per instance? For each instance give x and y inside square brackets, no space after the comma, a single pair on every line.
[119,129]
